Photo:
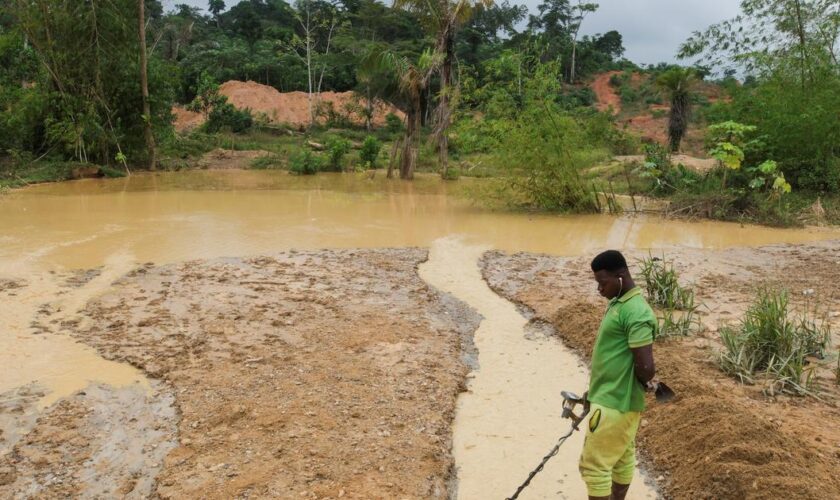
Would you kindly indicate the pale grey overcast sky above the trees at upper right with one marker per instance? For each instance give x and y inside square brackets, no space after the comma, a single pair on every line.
[652,29]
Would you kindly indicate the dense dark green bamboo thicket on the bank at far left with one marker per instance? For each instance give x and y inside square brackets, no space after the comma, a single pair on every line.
[81,101]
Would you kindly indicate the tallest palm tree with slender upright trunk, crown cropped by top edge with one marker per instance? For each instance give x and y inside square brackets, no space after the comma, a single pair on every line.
[442,19]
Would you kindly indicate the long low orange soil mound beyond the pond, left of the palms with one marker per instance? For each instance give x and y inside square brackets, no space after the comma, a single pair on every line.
[289,108]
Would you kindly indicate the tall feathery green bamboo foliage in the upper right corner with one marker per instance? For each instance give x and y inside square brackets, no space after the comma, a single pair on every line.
[788,51]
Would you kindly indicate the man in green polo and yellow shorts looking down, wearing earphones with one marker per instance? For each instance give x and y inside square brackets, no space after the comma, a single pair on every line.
[622,368]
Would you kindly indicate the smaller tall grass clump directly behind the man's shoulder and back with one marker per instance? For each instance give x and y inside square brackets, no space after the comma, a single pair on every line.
[674,302]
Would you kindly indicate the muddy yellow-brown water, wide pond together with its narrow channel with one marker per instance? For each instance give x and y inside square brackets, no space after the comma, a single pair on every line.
[510,415]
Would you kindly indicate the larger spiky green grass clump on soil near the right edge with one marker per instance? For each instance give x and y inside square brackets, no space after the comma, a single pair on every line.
[771,343]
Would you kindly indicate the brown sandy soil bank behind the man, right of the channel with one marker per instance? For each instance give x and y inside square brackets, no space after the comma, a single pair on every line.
[718,439]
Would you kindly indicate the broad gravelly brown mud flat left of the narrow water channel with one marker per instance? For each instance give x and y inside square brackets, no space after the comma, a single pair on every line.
[319,374]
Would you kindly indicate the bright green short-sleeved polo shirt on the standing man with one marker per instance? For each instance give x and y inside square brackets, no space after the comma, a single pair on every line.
[628,323]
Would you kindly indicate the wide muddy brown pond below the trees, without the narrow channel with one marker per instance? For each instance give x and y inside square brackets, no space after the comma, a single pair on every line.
[114,225]
